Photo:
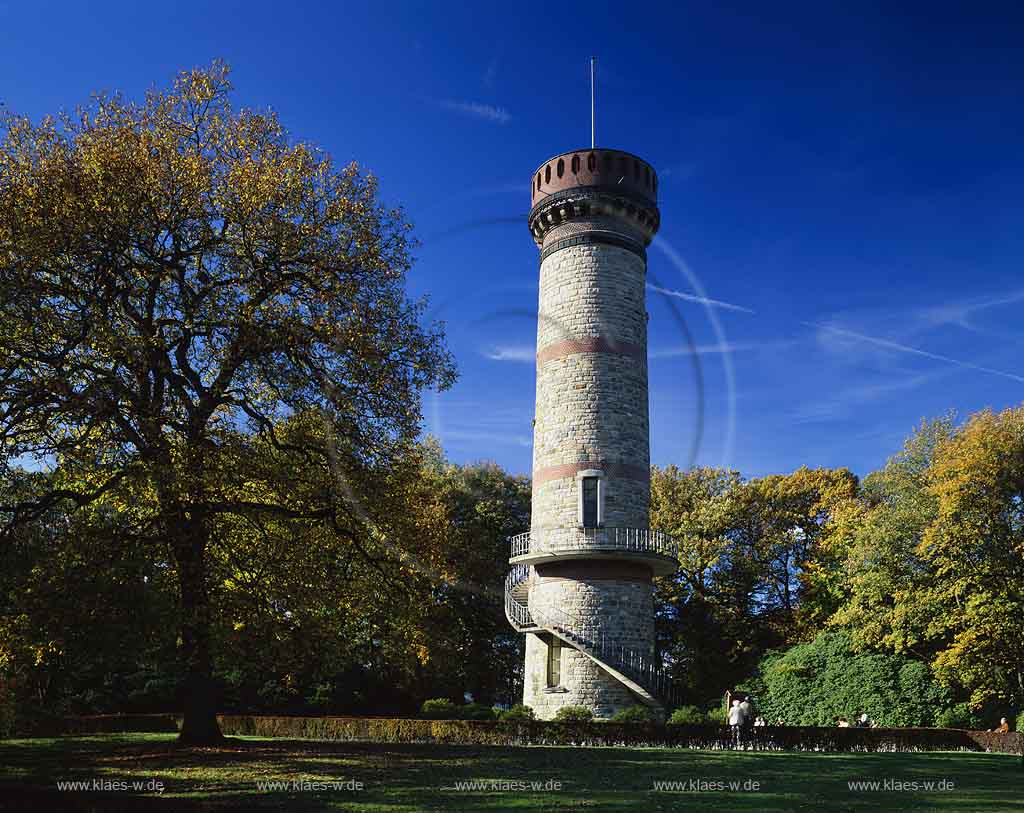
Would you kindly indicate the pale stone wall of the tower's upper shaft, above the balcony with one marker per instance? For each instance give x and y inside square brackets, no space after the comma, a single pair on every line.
[592,406]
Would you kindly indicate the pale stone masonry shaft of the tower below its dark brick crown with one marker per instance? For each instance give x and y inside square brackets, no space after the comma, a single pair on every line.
[591,412]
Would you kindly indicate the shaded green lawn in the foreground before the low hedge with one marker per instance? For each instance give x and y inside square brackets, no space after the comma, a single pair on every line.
[397,779]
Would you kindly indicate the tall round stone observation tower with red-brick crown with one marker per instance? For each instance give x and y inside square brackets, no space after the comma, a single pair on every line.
[580,587]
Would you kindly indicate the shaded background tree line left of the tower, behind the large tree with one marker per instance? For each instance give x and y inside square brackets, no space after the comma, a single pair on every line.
[302,621]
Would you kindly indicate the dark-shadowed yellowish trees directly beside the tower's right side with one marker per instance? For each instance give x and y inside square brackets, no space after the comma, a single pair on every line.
[760,566]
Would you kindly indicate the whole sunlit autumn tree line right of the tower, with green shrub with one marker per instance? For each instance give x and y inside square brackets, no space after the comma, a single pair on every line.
[905,589]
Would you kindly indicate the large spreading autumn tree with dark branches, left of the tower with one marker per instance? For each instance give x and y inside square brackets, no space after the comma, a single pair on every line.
[175,272]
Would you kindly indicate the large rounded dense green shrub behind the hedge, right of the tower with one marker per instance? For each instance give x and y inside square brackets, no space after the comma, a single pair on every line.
[817,683]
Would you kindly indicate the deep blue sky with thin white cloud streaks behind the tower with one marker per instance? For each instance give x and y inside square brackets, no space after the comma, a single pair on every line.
[848,181]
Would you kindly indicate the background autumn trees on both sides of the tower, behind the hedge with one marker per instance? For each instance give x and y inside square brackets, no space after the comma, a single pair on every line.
[899,595]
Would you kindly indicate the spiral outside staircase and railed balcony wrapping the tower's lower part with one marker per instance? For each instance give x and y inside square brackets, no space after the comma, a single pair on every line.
[638,671]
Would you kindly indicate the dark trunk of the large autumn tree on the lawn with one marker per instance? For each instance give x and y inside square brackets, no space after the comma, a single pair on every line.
[199,696]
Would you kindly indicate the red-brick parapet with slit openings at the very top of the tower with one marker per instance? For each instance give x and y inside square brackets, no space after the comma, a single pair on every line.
[610,169]
